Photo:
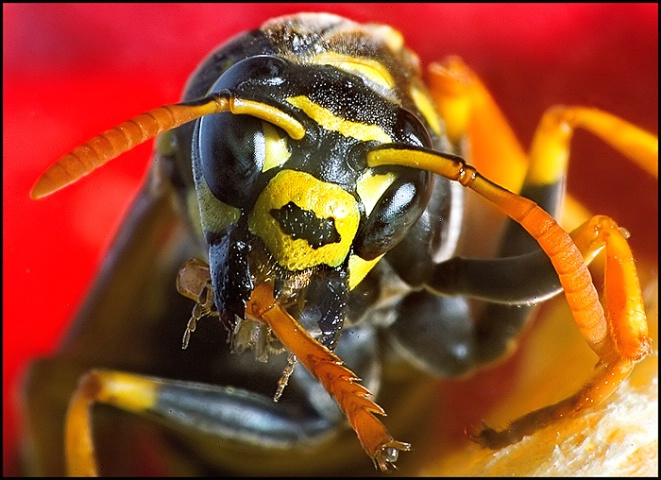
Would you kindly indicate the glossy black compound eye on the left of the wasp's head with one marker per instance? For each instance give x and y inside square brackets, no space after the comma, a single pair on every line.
[231,156]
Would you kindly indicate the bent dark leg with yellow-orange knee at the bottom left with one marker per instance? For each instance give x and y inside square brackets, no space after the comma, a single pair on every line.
[235,418]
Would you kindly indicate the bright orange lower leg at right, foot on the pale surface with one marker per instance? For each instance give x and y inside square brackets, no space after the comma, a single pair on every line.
[620,343]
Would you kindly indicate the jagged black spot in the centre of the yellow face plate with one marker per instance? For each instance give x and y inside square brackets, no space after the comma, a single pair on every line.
[299,223]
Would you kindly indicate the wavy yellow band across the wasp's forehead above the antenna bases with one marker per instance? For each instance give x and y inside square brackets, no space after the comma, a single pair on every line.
[330,121]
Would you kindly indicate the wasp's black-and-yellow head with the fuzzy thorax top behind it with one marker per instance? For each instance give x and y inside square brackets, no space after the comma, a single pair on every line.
[284,191]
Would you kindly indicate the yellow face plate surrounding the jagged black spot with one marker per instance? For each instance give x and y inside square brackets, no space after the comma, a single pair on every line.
[326,200]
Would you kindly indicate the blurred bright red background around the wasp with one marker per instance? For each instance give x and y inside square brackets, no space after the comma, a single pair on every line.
[72,71]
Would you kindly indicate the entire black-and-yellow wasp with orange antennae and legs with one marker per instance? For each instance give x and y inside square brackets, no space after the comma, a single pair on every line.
[312,196]
